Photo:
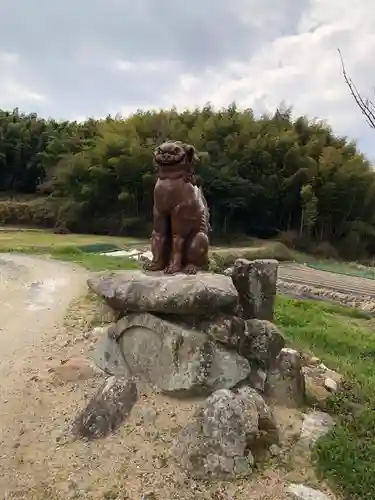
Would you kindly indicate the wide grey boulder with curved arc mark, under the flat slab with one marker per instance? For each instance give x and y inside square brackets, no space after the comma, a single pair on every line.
[177,360]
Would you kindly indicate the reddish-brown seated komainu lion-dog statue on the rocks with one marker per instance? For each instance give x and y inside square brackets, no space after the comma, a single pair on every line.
[179,241]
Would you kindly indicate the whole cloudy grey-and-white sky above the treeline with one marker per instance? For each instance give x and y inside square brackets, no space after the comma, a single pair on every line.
[79,58]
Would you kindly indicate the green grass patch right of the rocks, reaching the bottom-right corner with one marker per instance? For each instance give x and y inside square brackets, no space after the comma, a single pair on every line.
[345,340]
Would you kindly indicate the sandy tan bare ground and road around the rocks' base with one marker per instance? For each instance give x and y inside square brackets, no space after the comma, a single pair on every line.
[46,318]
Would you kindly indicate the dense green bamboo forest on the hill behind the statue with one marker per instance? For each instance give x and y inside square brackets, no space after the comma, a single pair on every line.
[268,176]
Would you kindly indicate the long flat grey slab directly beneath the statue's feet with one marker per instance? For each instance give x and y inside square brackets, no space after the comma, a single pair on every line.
[135,291]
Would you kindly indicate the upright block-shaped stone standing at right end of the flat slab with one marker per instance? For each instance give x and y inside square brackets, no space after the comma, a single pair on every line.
[255,282]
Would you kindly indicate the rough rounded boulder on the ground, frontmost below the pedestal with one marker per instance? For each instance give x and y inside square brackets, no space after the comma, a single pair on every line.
[225,436]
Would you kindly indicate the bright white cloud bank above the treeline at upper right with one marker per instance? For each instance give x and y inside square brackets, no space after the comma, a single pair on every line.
[302,68]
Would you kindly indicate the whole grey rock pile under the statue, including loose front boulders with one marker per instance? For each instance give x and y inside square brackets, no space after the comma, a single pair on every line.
[206,335]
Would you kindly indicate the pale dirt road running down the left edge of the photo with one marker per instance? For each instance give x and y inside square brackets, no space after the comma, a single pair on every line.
[34,296]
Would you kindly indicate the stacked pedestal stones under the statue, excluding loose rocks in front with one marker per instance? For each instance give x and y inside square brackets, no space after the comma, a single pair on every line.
[191,335]
